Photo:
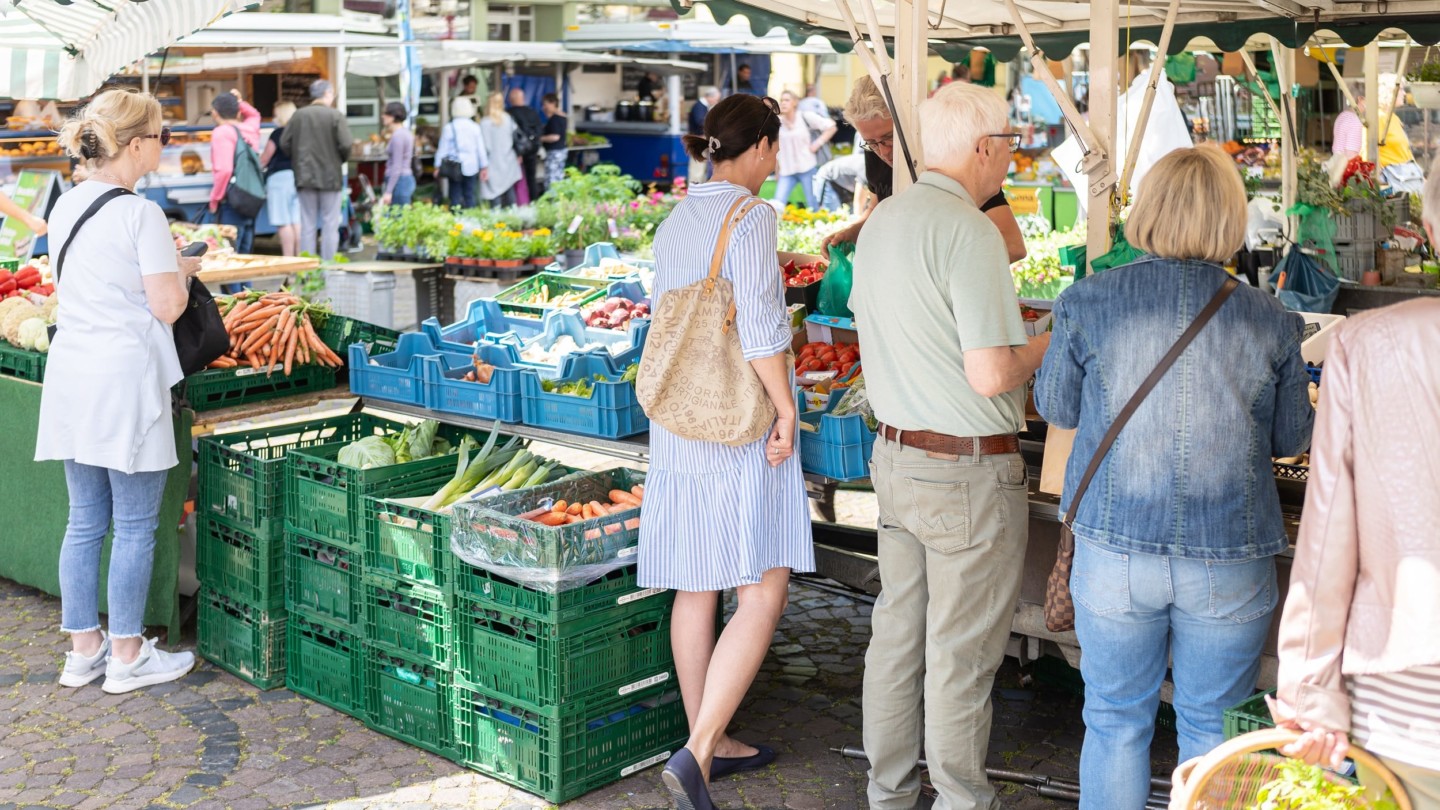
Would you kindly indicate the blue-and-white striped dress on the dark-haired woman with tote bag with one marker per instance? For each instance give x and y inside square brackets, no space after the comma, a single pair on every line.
[719,517]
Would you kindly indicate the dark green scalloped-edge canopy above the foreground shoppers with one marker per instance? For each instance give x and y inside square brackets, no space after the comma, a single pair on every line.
[1061,27]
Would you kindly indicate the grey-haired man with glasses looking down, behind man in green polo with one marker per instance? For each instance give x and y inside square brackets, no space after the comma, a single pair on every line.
[870,116]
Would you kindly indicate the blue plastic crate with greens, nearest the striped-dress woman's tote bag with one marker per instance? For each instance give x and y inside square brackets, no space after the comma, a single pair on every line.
[611,411]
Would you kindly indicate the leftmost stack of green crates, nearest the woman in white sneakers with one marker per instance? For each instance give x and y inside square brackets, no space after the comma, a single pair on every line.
[241,543]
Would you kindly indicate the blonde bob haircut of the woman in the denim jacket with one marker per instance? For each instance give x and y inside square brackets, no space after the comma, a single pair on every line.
[1192,205]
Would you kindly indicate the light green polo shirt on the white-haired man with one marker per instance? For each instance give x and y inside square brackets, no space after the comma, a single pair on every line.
[932,282]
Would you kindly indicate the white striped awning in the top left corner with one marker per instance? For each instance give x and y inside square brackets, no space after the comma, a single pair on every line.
[67,50]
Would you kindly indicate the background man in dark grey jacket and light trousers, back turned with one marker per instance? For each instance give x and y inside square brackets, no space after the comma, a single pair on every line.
[319,143]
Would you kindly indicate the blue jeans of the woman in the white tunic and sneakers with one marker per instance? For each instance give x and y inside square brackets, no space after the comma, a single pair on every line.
[97,498]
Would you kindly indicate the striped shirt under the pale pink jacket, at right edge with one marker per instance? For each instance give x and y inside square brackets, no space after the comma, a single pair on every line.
[1398,716]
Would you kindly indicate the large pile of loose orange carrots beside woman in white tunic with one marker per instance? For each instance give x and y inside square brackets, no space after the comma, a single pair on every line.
[273,329]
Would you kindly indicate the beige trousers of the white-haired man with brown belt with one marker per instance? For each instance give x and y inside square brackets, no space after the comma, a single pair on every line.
[953,547]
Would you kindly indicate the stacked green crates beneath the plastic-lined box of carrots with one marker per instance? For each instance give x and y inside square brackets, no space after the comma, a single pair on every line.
[562,694]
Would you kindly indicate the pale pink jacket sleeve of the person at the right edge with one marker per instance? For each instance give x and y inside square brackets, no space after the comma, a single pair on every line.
[1327,567]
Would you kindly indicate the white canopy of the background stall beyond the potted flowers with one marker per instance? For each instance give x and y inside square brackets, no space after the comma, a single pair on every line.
[464,54]
